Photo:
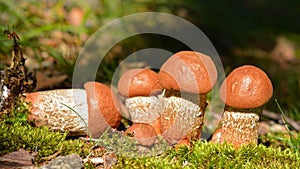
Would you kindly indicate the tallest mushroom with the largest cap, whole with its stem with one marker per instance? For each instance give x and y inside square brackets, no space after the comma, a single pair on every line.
[187,77]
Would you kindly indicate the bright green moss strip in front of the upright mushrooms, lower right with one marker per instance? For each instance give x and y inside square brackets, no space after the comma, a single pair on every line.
[209,155]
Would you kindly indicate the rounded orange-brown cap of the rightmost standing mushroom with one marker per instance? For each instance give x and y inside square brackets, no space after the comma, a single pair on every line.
[246,87]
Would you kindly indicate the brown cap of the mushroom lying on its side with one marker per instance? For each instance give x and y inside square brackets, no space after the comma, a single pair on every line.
[103,108]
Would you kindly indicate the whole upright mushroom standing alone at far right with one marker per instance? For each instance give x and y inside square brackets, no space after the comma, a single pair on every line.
[244,91]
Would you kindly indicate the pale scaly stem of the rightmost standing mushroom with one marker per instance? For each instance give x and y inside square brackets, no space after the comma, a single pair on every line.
[240,128]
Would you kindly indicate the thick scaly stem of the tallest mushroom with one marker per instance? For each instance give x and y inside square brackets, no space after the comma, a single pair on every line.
[183,113]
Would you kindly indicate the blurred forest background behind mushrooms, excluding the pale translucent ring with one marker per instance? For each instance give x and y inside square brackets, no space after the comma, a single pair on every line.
[262,33]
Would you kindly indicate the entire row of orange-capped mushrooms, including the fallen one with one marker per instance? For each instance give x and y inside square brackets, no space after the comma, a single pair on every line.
[170,103]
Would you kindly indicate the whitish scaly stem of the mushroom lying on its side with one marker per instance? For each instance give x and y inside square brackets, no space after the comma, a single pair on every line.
[49,108]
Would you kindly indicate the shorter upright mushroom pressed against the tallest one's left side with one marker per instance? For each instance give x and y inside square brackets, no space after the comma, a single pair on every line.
[140,87]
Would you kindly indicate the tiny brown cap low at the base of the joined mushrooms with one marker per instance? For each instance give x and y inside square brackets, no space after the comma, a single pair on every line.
[144,133]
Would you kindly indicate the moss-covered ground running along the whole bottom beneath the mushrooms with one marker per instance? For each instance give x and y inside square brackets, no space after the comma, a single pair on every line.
[16,132]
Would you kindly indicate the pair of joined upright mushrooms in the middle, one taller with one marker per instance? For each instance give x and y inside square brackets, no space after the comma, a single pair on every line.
[173,101]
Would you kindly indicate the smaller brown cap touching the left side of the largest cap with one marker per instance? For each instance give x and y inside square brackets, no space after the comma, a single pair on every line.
[139,82]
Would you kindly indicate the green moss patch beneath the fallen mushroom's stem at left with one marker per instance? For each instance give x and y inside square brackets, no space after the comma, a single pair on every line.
[16,133]
